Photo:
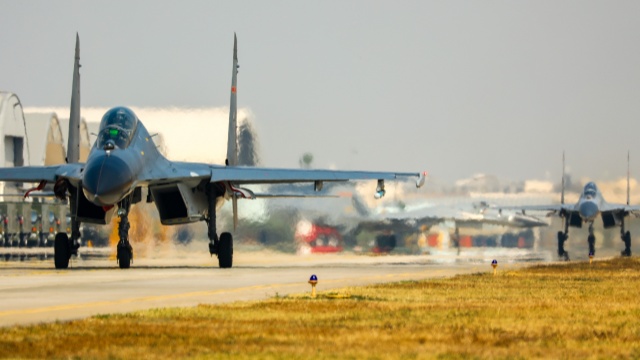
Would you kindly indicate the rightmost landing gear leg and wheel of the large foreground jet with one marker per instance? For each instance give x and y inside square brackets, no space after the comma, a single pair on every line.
[223,246]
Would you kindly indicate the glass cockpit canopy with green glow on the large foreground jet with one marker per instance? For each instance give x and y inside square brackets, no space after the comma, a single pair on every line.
[117,128]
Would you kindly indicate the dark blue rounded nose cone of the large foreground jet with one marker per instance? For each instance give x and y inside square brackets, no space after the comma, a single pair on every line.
[106,180]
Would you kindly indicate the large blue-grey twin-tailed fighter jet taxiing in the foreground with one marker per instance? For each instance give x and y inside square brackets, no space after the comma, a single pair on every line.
[124,161]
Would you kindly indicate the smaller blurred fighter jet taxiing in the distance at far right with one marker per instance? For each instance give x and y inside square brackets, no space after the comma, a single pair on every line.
[590,205]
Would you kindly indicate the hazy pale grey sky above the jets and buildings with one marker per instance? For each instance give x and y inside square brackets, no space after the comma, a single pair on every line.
[452,87]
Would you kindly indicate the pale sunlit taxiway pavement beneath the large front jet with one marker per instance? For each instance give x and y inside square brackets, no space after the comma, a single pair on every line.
[32,291]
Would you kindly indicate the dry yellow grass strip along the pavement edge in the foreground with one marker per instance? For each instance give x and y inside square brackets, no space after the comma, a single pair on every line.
[572,310]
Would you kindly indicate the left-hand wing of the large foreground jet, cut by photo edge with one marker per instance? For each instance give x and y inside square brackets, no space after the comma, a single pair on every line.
[32,174]
